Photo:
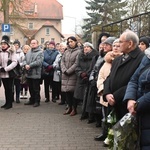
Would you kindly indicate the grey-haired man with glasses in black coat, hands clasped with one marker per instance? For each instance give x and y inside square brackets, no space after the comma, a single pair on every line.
[123,68]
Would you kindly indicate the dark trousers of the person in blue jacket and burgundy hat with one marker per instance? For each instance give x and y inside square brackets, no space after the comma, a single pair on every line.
[48,82]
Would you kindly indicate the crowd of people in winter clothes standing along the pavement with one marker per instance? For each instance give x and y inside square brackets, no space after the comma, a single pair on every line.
[115,76]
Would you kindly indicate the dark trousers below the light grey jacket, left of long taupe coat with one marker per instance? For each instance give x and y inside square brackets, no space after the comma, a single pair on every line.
[56,89]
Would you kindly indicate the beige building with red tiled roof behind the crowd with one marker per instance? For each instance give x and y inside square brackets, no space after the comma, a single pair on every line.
[41,21]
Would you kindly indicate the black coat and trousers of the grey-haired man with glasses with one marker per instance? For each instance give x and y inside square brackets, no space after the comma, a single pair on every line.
[116,82]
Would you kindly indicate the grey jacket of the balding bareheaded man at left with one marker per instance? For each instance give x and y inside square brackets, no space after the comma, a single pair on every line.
[34,58]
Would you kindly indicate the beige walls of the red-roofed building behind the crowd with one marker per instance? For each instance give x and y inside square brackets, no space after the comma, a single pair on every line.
[41,33]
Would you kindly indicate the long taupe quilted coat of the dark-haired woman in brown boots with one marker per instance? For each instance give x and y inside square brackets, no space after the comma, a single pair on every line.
[68,64]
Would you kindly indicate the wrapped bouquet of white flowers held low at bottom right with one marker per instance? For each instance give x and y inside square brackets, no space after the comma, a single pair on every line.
[123,135]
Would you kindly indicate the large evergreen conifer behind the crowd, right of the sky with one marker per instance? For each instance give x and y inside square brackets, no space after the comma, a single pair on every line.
[102,12]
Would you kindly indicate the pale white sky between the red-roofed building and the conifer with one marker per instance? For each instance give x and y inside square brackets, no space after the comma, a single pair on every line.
[74,11]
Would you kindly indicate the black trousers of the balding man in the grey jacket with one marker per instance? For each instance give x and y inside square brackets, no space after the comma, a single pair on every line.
[34,90]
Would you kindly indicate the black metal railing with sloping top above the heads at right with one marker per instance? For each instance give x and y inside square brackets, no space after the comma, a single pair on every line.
[140,24]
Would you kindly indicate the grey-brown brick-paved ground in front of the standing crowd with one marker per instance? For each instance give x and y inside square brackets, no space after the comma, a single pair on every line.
[44,128]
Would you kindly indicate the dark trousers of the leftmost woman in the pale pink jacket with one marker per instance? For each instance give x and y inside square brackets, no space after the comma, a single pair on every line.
[8,88]
